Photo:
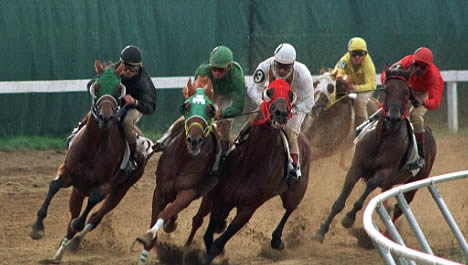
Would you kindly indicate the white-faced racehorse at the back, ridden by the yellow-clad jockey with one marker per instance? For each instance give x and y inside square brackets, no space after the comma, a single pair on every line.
[332,127]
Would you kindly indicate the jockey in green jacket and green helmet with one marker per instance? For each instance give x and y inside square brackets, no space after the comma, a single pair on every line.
[229,90]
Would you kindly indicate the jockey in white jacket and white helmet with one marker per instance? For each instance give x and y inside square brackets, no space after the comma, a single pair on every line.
[284,65]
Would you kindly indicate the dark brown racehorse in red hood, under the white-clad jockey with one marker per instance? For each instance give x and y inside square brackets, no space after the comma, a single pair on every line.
[254,172]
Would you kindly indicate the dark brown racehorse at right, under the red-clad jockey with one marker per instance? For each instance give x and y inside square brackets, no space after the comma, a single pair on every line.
[381,154]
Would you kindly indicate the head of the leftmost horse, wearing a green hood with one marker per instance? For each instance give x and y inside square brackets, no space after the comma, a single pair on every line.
[106,91]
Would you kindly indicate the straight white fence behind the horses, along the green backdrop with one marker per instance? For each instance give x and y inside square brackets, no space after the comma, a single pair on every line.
[451,77]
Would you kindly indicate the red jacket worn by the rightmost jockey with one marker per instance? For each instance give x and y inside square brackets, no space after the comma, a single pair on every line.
[430,81]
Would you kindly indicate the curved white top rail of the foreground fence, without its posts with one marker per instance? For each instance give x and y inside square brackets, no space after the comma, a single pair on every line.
[390,247]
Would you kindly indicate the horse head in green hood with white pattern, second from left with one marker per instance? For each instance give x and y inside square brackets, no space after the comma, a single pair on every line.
[198,113]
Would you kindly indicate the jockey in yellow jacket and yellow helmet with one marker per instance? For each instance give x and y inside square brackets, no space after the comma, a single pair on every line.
[357,63]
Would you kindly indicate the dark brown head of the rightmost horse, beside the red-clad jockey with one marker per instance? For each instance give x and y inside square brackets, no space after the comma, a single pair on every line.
[395,96]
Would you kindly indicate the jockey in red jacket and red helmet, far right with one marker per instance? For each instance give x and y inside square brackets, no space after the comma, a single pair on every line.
[426,88]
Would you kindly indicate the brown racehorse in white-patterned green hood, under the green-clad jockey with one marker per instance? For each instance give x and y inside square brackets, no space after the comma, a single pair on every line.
[183,171]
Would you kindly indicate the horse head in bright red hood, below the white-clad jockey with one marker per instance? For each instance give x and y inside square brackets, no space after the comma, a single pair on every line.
[278,99]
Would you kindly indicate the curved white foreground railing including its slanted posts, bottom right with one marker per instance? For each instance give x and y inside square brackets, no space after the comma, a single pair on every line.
[389,249]
